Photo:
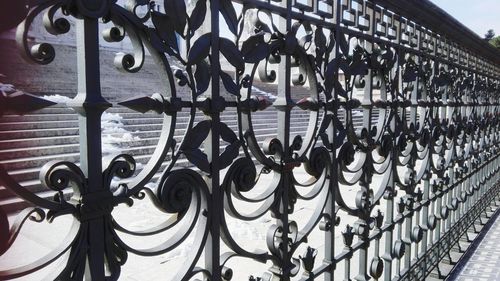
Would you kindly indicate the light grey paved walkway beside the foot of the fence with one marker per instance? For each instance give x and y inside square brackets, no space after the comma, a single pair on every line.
[484,263]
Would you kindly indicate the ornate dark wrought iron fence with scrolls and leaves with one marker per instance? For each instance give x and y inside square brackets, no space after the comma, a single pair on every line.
[420,171]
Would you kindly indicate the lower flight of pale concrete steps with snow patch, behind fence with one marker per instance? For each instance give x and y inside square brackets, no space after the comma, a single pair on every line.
[28,142]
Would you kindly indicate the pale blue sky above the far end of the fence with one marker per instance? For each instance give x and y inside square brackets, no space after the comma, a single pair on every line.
[478,15]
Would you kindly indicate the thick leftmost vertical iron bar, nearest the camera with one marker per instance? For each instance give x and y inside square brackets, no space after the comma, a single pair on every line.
[90,105]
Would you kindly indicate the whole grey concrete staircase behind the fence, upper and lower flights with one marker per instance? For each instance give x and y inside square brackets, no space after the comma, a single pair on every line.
[28,142]
